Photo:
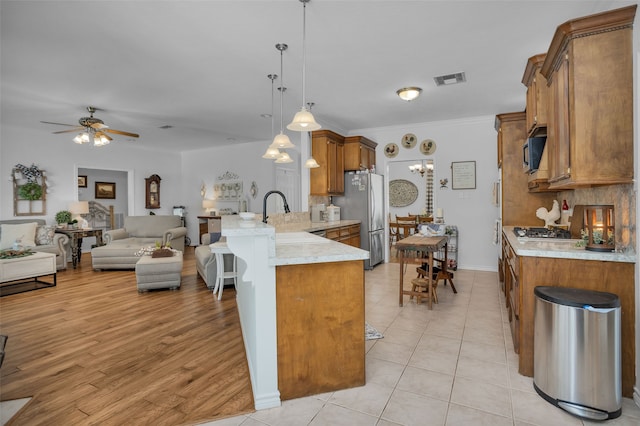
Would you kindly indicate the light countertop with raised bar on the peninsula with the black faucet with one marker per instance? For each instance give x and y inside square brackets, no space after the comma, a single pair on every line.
[295,247]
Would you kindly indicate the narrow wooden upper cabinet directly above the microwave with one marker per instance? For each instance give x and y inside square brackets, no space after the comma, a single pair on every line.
[537,96]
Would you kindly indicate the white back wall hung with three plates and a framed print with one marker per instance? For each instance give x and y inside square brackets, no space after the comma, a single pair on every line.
[471,210]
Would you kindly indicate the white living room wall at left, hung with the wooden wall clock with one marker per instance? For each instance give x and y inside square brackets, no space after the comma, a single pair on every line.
[60,157]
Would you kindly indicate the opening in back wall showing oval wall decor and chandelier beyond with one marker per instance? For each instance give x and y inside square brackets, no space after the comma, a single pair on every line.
[411,187]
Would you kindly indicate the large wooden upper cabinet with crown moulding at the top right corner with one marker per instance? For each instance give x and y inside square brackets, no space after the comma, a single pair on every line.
[589,69]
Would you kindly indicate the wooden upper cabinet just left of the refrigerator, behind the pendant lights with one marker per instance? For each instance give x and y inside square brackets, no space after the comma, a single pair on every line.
[327,148]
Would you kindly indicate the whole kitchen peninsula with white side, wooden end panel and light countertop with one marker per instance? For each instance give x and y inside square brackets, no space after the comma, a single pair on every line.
[301,304]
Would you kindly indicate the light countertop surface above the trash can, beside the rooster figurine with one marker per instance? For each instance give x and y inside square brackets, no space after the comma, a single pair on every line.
[559,248]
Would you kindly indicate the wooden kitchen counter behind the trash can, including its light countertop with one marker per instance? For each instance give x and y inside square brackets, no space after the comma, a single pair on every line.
[531,262]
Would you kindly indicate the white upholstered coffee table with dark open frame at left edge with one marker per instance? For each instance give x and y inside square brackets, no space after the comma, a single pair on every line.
[22,273]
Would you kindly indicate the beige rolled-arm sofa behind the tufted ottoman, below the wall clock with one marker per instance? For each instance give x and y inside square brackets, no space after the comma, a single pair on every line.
[121,245]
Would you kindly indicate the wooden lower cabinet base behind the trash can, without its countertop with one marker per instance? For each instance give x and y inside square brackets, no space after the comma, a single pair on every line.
[611,277]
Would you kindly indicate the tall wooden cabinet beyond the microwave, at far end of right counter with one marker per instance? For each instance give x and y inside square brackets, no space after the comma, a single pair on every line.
[518,204]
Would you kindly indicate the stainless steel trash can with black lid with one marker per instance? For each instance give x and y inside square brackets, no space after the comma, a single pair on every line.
[576,351]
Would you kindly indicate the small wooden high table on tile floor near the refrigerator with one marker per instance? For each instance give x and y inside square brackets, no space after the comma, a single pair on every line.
[425,246]
